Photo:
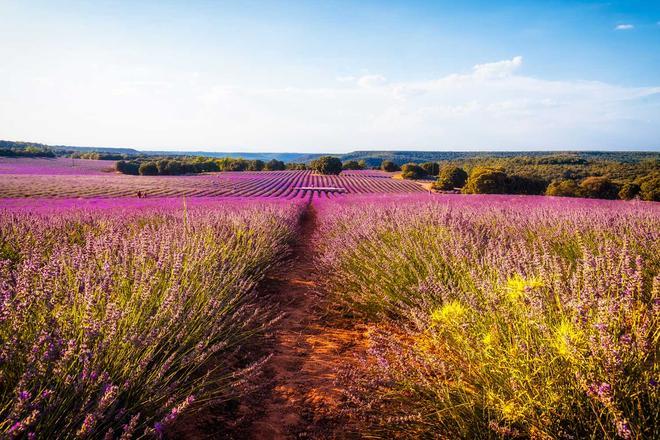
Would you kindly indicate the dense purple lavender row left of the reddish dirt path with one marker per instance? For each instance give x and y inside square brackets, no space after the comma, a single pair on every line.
[116,318]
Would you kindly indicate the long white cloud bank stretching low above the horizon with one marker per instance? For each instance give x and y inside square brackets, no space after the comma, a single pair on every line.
[493,105]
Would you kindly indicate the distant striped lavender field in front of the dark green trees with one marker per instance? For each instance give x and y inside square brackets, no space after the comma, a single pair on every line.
[55,178]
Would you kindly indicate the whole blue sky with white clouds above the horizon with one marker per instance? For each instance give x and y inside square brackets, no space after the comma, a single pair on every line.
[331,76]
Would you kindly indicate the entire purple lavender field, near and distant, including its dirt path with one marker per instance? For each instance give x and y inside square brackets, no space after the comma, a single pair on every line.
[290,304]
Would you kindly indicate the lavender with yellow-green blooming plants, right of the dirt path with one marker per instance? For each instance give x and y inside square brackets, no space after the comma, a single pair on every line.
[497,316]
